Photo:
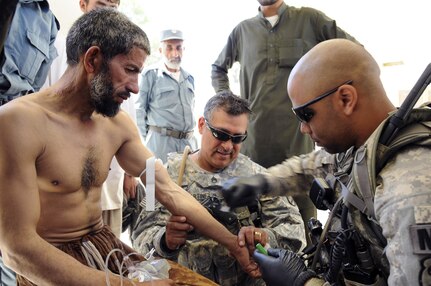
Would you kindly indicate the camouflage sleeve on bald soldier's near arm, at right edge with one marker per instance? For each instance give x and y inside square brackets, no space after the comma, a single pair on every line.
[403,209]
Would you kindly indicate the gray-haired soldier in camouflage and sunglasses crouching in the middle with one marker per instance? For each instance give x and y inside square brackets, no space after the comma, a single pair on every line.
[275,220]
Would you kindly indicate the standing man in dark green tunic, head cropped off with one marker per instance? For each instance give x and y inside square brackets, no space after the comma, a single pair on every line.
[267,47]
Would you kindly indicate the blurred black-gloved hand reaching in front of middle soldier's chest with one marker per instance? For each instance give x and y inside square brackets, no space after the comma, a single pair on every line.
[243,191]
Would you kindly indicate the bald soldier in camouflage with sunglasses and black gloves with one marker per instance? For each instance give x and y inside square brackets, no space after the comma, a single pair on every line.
[387,242]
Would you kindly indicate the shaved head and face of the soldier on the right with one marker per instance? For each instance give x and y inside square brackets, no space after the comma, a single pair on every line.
[354,110]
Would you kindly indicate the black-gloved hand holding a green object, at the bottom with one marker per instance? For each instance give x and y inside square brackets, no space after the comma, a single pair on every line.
[282,267]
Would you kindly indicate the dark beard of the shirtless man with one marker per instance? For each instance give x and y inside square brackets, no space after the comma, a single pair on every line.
[102,94]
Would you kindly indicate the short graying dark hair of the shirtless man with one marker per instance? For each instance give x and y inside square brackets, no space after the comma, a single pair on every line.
[108,29]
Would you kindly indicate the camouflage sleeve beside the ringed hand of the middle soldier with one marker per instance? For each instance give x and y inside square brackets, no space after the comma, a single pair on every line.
[283,223]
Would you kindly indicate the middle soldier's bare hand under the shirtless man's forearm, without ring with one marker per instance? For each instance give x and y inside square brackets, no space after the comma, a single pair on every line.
[176,231]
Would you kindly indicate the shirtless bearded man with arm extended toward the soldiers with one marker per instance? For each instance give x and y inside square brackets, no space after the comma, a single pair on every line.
[55,150]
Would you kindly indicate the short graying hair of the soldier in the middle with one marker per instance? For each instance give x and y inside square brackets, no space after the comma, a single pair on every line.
[228,102]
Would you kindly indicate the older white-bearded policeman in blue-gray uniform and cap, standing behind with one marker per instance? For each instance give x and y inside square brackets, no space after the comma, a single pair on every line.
[167,100]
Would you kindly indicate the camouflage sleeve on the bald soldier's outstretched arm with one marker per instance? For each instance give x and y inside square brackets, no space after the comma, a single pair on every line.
[295,175]
